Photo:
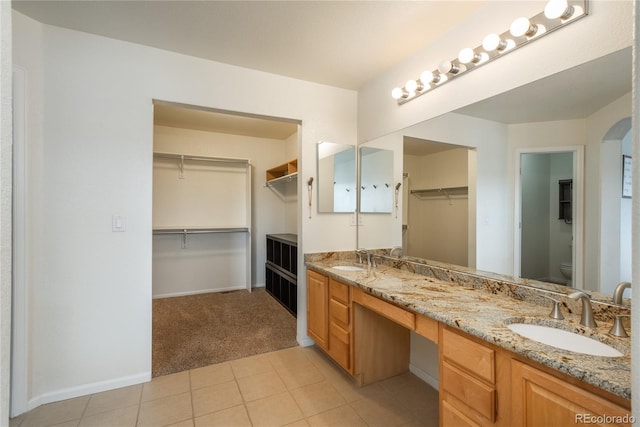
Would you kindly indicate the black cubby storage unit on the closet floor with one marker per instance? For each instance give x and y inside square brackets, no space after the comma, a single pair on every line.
[282,269]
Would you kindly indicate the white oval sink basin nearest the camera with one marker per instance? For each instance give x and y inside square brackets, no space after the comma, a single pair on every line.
[564,339]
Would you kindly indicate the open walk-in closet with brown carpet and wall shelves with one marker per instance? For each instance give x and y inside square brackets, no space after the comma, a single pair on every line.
[213,210]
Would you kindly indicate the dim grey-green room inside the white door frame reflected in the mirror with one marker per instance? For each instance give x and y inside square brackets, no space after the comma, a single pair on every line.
[547,226]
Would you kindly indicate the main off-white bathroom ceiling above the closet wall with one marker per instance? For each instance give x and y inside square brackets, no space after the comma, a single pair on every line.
[338,43]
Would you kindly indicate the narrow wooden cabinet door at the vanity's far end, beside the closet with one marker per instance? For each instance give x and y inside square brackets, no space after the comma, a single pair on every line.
[318,308]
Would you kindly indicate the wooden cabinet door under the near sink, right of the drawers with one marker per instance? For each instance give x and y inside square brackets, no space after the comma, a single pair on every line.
[542,400]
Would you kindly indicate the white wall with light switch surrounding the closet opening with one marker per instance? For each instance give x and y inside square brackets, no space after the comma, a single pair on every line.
[89,312]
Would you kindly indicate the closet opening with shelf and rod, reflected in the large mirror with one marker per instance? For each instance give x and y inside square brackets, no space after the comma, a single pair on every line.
[439,214]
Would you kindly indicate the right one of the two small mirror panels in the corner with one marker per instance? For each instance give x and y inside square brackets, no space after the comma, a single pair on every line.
[376,180]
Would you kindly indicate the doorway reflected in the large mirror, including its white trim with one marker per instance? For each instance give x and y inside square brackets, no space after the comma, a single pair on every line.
[549,215]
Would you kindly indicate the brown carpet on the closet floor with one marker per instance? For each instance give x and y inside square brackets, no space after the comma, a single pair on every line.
[199,330]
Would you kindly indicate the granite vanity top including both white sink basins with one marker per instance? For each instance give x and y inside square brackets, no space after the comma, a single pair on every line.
[520,326]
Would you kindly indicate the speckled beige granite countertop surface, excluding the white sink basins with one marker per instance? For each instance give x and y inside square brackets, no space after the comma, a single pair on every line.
[486,315]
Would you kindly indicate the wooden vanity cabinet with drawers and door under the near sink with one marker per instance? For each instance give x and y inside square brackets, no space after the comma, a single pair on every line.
[484,385]
